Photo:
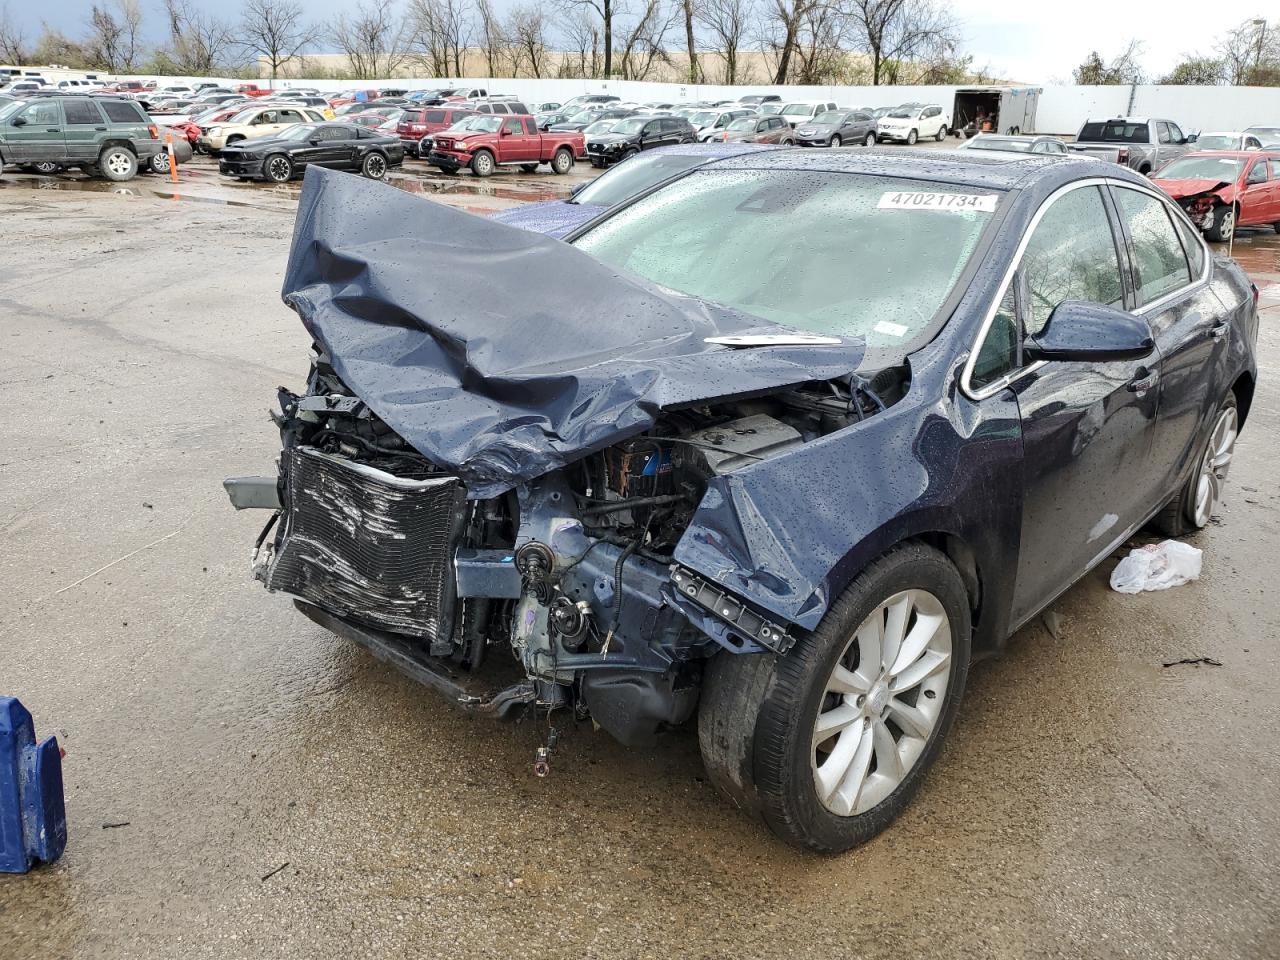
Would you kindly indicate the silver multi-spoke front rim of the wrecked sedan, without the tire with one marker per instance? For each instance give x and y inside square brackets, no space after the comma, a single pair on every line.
[883,702]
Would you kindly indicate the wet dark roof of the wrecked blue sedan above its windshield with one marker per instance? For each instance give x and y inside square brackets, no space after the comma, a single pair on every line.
[975,168]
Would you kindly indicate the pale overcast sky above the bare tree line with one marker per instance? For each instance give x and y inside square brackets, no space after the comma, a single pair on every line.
[1028,42]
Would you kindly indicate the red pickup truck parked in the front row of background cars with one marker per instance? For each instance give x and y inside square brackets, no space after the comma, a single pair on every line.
[495,141]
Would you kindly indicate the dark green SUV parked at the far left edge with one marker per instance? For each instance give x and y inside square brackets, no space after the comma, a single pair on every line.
[104,136]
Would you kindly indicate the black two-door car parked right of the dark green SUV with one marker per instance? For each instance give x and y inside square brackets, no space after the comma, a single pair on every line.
[340,147]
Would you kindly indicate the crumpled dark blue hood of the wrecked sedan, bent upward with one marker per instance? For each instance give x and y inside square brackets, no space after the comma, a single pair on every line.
[502,354]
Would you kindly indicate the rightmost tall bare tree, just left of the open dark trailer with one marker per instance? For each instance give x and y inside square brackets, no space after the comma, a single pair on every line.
[897,31]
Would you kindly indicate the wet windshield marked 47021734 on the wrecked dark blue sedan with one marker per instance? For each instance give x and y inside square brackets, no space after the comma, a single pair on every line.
[785,245]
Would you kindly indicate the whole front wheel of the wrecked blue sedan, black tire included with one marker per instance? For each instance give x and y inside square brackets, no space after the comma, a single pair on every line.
[830,743]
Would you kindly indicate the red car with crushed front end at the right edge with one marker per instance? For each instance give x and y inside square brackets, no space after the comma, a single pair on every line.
[1222,190]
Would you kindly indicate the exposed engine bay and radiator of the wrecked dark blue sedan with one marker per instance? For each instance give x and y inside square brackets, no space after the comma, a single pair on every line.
[573,572]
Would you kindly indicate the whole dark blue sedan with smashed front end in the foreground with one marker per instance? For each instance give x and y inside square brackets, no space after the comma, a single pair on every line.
[785,445]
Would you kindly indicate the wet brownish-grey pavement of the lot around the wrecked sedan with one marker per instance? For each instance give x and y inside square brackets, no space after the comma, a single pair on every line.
[240,784]
